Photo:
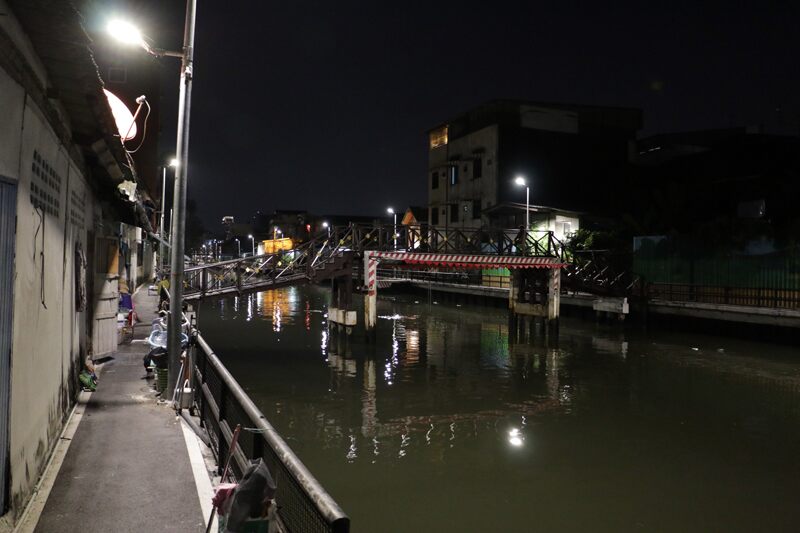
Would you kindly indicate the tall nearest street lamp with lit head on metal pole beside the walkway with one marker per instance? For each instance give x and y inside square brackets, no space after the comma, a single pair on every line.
[129,34]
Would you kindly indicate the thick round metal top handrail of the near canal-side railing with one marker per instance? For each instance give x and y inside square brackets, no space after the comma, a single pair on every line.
[324,504]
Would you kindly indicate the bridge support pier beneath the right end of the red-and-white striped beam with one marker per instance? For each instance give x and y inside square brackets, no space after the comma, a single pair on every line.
[534,293]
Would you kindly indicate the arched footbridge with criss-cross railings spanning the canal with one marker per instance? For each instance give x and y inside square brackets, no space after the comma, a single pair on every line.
[334,253]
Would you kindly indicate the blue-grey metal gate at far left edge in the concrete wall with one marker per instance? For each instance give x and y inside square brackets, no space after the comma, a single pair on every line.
[8,222]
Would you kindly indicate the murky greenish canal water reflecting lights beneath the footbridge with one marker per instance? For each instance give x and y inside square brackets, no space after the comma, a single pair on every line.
[444,425]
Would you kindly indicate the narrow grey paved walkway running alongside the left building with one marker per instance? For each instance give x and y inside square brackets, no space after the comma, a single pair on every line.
[127,468]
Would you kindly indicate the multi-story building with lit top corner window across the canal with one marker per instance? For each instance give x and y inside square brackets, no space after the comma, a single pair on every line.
[570,156]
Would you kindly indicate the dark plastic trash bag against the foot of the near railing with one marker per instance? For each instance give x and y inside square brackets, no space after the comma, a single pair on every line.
[254,492]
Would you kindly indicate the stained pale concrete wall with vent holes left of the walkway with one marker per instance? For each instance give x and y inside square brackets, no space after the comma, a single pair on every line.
[50,338]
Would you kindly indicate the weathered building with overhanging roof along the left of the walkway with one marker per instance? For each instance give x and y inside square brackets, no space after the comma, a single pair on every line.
[67,236]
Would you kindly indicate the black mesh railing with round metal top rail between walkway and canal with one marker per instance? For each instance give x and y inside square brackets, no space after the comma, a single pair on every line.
[303,504]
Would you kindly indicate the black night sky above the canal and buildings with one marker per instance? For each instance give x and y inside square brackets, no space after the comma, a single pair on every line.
[324,105]
